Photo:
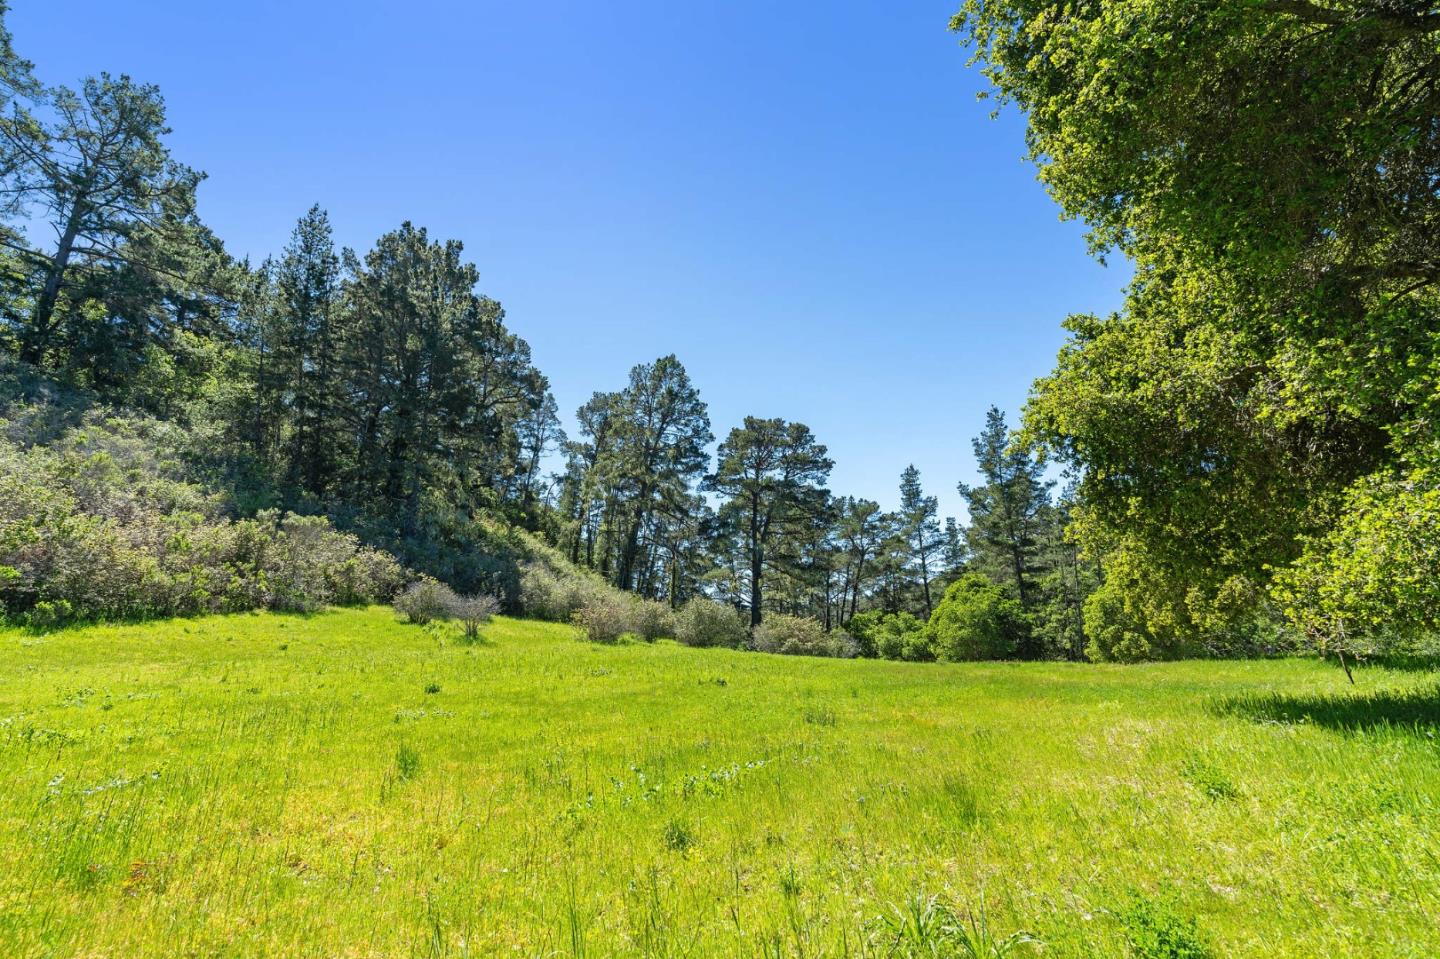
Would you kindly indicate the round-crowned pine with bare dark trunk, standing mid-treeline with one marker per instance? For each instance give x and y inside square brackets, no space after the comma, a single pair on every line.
[774,476]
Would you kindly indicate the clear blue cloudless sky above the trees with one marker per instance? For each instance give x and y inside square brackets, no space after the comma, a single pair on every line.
[800,199]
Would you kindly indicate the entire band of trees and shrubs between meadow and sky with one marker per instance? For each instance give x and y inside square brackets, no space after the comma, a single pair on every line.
[1249,447]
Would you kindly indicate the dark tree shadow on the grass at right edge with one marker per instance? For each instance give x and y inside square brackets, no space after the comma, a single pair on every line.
[1408,709]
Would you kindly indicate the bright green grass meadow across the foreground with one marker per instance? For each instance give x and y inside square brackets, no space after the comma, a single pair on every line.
[346,785]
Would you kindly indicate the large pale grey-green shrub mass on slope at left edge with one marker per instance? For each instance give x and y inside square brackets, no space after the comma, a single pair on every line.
[99,526]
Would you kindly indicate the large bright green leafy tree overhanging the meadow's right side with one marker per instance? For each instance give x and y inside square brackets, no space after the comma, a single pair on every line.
[1271,168]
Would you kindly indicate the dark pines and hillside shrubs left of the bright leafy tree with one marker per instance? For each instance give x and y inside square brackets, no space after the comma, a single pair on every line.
[384,392]
